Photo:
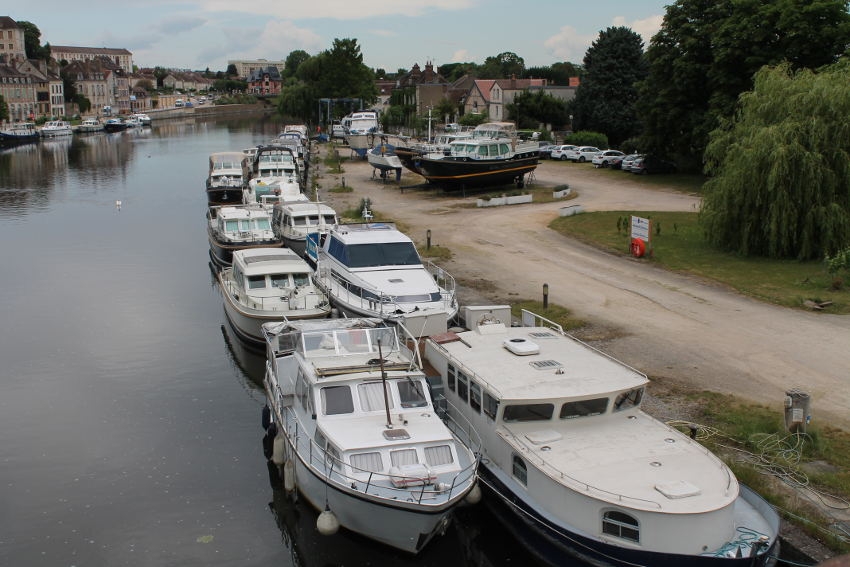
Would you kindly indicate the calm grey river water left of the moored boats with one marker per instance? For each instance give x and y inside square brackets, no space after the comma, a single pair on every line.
[129,418]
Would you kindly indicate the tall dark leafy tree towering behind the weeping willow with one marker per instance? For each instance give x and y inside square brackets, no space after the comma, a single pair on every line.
[707,52]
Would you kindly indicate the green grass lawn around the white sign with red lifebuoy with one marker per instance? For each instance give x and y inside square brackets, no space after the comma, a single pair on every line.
[677,244]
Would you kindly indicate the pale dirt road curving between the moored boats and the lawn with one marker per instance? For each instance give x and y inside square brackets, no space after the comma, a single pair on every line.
[677,329]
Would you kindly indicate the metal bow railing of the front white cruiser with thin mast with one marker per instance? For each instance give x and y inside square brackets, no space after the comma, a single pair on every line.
[431,491]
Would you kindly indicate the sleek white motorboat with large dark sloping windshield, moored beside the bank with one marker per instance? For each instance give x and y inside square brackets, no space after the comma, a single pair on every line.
[374,270]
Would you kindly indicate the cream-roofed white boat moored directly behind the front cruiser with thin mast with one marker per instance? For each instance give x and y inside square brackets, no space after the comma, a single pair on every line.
[269,284]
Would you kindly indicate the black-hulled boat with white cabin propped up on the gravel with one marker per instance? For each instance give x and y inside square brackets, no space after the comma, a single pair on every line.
[493,156]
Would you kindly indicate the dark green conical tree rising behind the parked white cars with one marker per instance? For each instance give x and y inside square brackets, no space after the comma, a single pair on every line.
[605,99]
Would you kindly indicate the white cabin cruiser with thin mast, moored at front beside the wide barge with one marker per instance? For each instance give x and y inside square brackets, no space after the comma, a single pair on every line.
[351,424]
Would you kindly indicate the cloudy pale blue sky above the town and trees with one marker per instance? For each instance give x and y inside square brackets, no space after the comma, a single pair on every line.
[392,34]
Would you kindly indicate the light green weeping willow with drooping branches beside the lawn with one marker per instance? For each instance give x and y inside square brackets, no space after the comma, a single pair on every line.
[780,170]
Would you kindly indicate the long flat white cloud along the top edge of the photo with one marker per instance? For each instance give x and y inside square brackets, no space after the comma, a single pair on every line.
[336,9]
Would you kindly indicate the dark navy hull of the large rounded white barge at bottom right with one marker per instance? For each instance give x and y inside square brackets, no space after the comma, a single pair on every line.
[556,545]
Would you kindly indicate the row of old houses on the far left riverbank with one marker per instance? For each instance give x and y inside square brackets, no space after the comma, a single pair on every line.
[34,88]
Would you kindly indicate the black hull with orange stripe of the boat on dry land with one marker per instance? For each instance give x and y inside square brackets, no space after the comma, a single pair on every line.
[459,173]
